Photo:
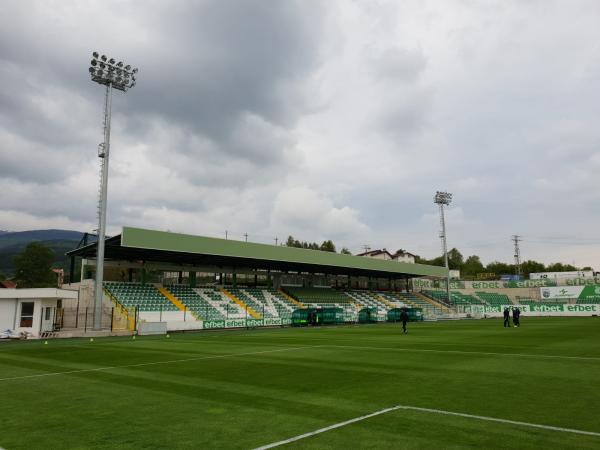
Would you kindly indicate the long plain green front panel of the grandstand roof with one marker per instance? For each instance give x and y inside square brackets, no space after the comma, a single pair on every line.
[162,241]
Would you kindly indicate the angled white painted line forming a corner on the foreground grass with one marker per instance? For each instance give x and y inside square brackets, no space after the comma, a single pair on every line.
[427,410]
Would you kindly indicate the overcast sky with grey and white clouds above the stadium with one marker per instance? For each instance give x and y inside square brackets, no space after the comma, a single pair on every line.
[321,119]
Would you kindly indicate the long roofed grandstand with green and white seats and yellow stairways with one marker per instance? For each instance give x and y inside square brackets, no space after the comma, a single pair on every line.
[194,282]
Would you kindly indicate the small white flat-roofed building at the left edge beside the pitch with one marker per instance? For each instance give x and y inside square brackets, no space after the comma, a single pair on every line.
[31,310]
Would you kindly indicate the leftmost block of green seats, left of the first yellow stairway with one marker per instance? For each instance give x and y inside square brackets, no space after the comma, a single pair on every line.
[143,297]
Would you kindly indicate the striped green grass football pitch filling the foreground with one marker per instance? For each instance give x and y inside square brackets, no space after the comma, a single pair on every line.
[246,389]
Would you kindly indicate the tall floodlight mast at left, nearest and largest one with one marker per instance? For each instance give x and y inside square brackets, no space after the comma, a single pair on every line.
[114,75]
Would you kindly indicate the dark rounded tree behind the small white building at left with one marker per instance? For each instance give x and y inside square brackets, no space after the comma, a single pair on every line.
[33,266]
